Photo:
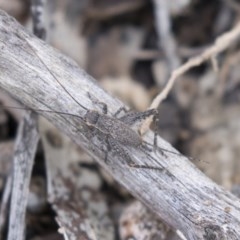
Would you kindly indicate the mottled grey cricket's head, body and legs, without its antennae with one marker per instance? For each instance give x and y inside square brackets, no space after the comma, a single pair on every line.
[118,130]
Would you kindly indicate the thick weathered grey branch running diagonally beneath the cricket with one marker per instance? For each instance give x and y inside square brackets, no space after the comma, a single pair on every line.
[180,194]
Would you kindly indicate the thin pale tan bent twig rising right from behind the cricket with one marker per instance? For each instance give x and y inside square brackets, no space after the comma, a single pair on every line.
[221,44]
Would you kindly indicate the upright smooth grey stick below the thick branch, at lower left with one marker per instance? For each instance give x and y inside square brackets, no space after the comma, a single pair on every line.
[25,149]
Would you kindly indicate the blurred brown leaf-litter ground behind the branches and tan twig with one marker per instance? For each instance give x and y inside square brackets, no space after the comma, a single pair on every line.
[131,48]
